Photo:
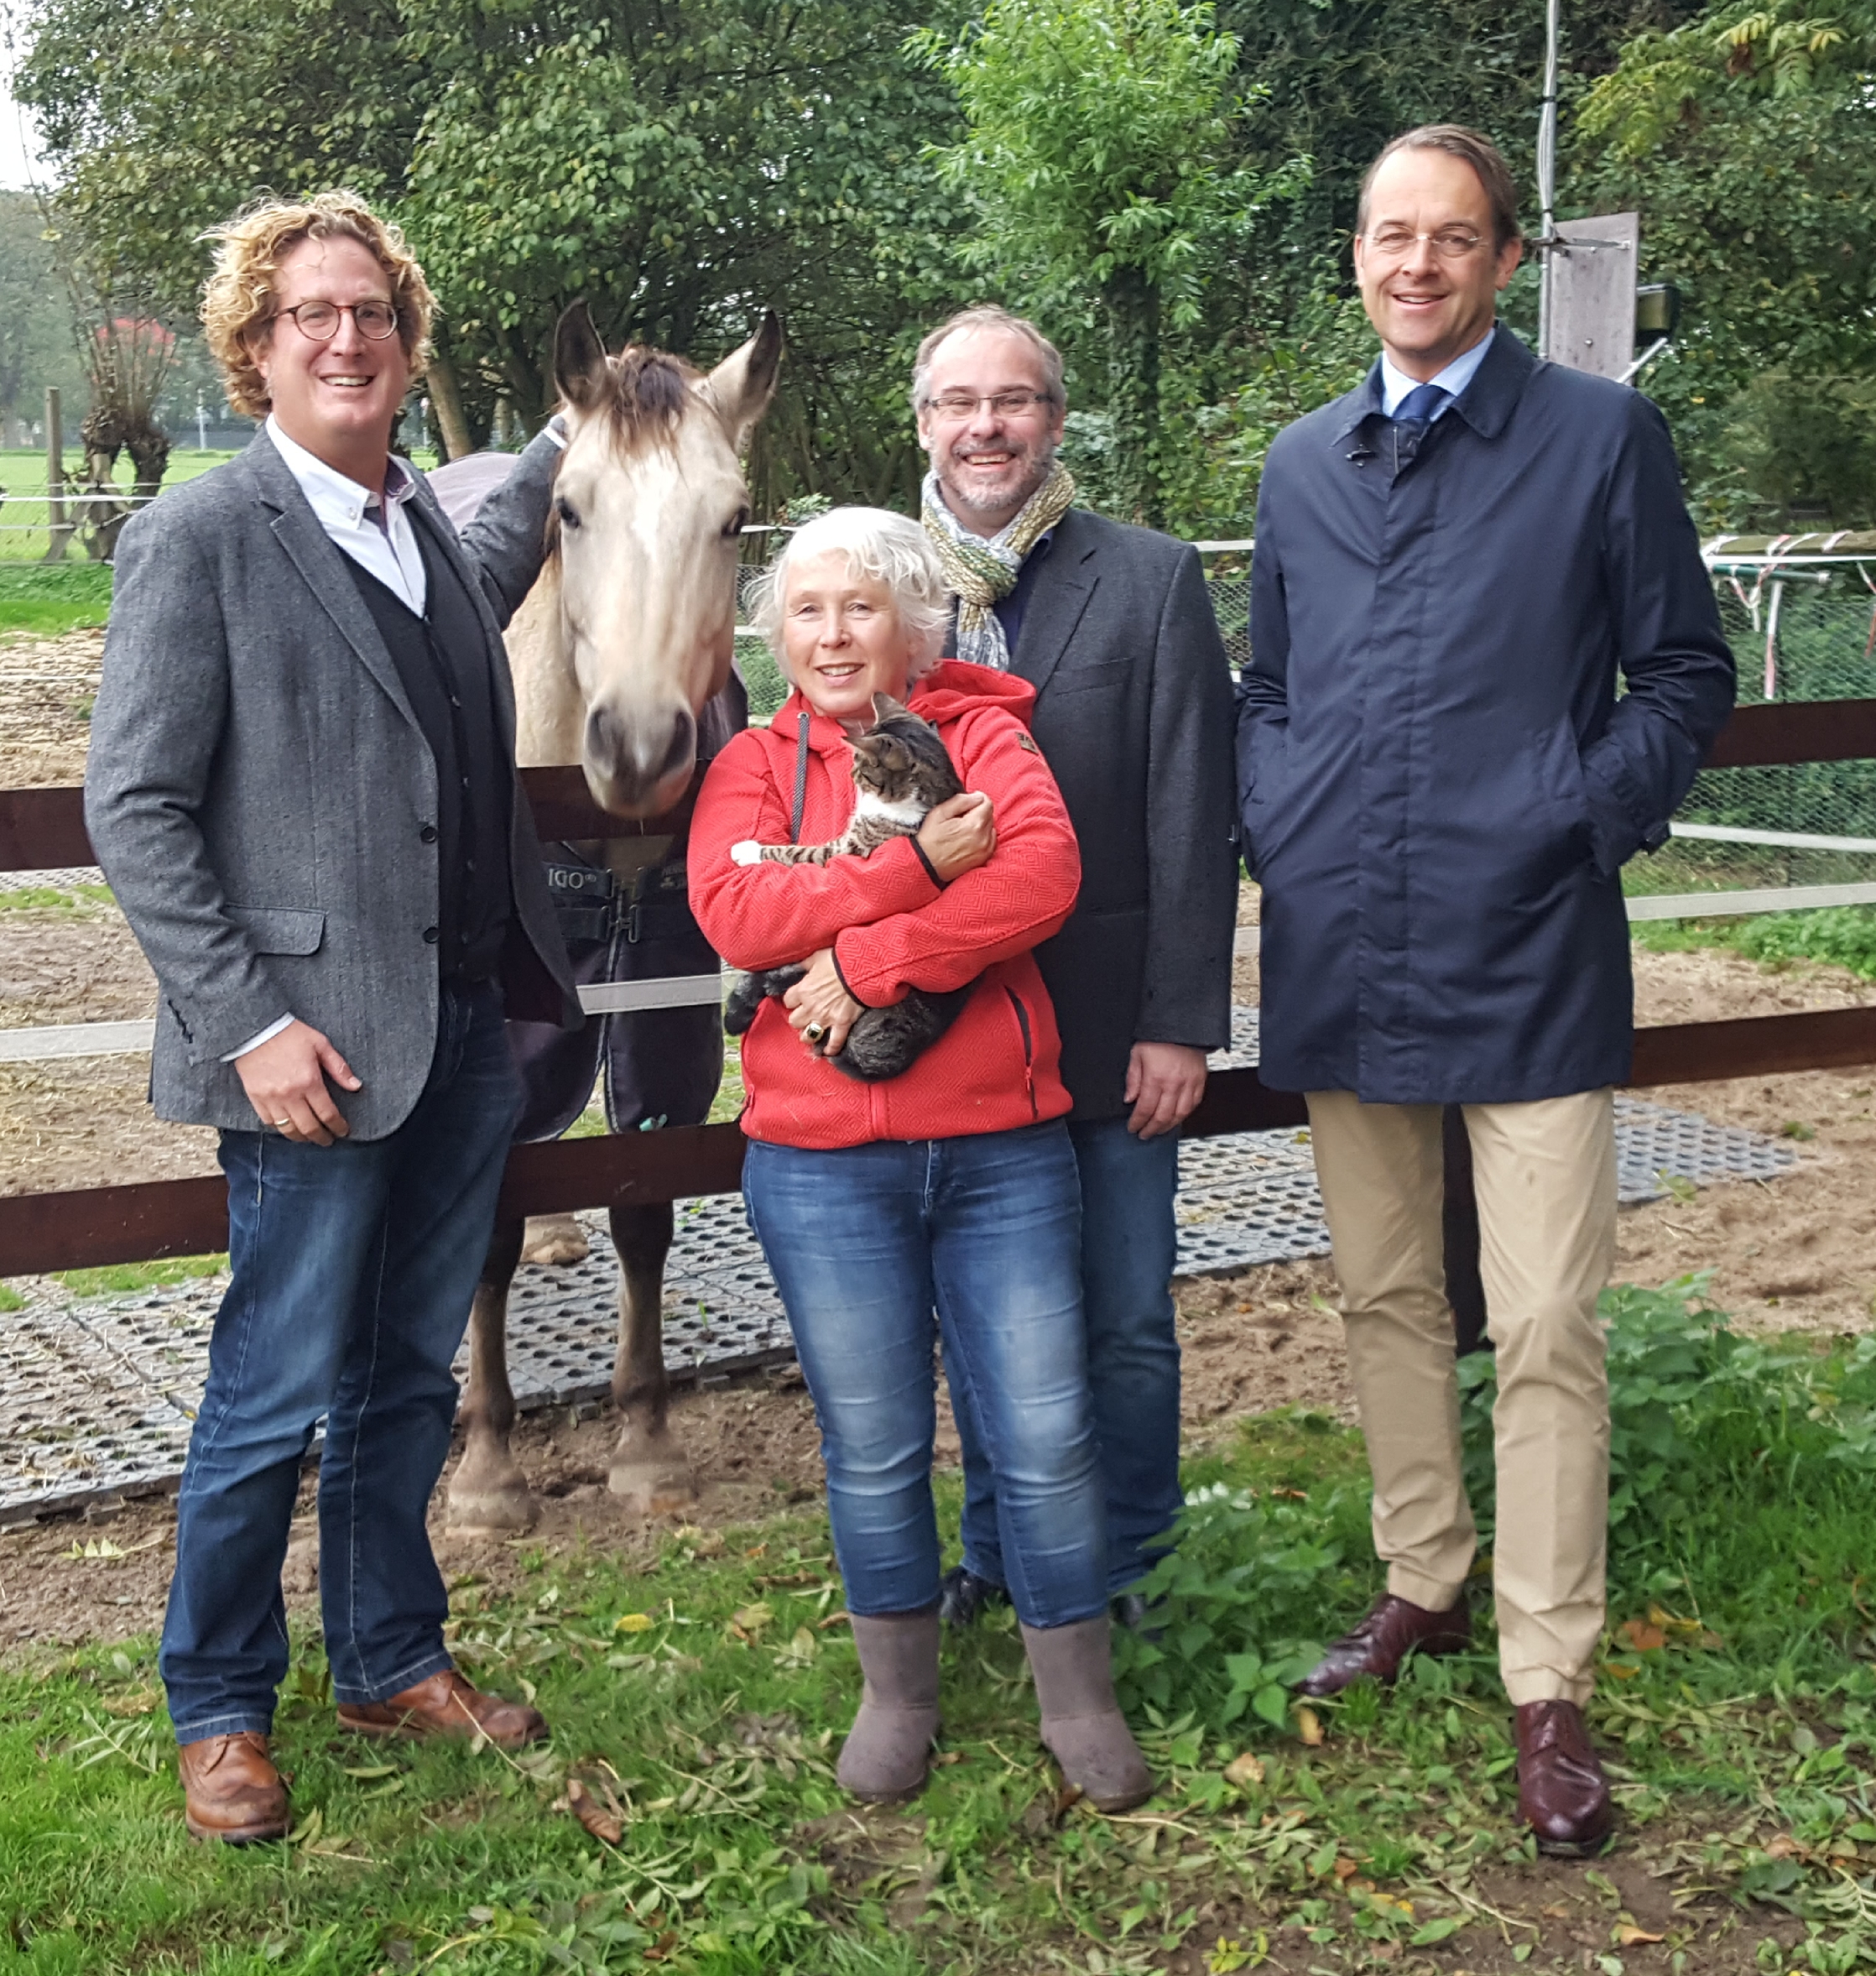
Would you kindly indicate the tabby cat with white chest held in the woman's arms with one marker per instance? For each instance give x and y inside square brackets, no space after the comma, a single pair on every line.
[900,776]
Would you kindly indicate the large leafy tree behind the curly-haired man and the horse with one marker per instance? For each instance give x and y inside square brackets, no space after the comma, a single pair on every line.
[679,169]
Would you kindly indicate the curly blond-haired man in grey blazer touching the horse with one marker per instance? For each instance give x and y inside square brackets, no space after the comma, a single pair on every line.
[303,793]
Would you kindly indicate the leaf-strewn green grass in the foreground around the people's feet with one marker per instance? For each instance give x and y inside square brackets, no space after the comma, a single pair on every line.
[705,1696]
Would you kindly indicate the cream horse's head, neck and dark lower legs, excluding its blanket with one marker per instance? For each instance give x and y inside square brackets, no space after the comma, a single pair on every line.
[616,653]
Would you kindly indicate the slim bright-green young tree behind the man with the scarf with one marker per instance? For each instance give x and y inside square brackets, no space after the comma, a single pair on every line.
[1100,161]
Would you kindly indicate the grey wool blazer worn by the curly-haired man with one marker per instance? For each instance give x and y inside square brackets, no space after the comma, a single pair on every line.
[260,793]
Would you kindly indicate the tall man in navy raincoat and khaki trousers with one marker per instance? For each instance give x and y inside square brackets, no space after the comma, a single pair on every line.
[1456,568]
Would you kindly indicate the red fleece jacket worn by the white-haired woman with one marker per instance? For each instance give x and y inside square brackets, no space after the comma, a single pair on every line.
[891,926]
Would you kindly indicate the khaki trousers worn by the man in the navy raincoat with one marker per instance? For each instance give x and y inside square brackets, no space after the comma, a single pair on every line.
[1545,1177]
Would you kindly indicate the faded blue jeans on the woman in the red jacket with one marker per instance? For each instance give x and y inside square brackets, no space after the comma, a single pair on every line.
[865,1246]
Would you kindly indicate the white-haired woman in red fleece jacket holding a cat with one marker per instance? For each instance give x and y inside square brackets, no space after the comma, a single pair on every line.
[942,1198]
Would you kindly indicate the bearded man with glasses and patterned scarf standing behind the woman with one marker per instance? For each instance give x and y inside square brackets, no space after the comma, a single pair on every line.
[1134,714]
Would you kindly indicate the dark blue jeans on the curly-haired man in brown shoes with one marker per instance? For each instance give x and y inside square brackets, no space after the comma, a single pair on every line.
[353,1276]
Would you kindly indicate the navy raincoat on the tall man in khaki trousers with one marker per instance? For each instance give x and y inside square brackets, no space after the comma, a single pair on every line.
[1440,783]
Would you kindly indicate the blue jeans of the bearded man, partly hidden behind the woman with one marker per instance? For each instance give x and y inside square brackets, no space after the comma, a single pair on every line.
[1130,1248]
